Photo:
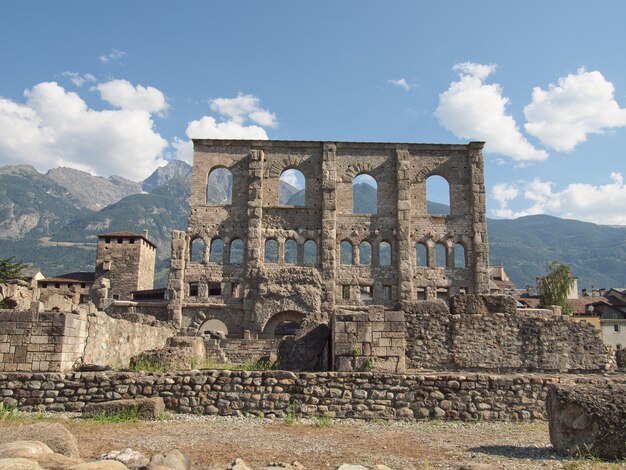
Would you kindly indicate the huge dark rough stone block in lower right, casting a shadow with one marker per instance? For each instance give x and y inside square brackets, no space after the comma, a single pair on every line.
[588,419]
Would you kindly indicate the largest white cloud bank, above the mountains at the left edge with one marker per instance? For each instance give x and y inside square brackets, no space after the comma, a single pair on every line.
[56,127]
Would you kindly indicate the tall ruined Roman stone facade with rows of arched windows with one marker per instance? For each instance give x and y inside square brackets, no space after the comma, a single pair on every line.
[252,260]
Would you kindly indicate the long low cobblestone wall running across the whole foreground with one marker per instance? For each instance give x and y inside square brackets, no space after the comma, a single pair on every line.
[361,395]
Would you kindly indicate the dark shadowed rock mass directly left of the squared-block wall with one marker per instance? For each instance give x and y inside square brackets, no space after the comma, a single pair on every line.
[307,350]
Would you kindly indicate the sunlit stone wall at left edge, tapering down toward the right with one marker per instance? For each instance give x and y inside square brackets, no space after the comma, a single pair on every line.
[38,341]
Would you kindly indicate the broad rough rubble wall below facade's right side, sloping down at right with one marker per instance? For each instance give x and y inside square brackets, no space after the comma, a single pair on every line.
[475,336]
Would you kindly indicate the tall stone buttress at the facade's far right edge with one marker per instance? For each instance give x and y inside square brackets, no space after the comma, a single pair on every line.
[480,261]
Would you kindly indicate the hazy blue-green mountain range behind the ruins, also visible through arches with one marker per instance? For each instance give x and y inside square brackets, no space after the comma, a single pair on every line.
[52,221]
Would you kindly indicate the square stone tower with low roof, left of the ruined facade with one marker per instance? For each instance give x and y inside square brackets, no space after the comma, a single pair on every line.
[127,261]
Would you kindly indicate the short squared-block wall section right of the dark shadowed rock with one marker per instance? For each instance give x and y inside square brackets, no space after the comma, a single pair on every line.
[372,340]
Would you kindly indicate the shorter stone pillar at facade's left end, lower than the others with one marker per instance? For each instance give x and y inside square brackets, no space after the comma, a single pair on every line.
[176,280]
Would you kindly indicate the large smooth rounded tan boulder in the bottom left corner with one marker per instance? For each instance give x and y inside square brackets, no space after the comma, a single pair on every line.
[54,435]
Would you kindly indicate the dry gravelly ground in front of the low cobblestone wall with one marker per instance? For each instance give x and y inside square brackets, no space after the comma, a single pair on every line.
[217,441]
